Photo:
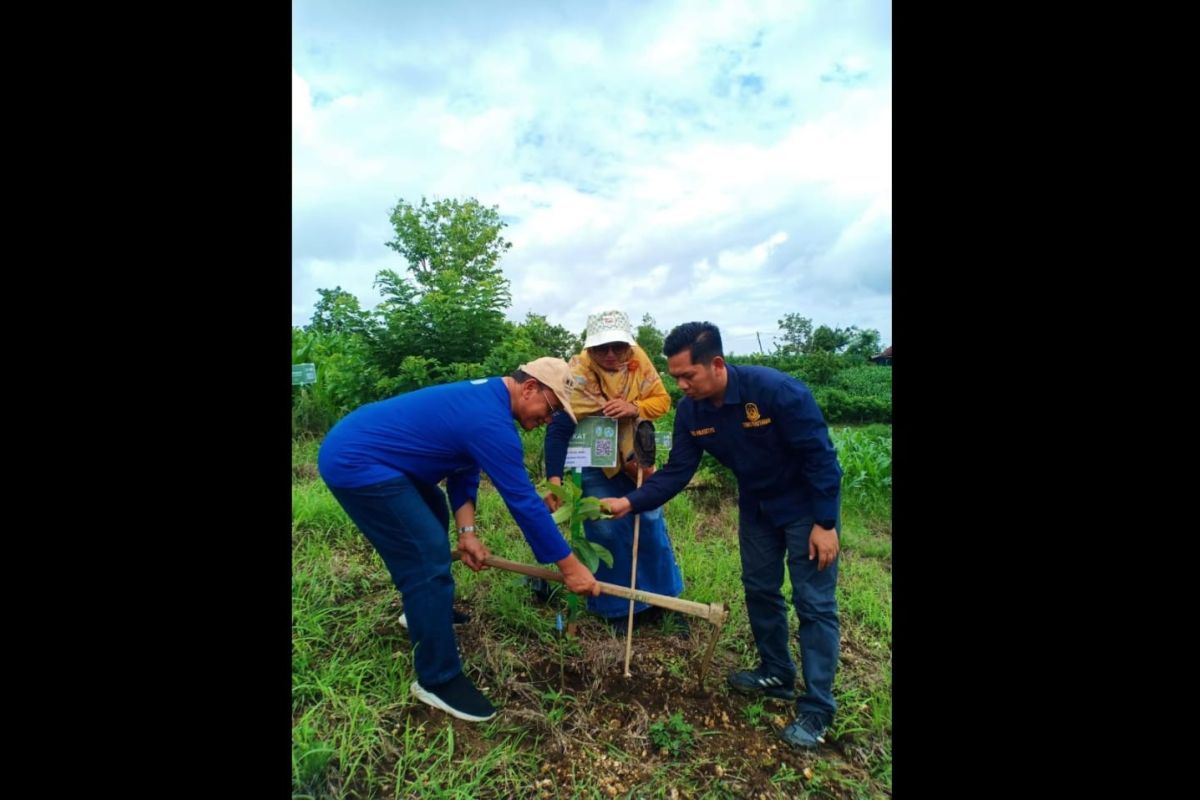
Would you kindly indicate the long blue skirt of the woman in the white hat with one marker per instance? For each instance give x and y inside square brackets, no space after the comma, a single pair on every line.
[657,569]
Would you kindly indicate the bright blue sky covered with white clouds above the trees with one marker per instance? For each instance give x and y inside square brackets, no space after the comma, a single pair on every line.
[728,161]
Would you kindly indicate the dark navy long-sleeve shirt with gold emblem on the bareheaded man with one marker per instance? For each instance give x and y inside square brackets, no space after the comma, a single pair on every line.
[771,434]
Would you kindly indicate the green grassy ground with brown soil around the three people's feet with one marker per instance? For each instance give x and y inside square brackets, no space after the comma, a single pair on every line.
[572,726]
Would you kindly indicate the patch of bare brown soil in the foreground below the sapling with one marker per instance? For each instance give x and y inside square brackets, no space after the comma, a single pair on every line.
[602,738]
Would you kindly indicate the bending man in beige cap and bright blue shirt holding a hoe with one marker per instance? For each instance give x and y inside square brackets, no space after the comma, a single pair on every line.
[383,464]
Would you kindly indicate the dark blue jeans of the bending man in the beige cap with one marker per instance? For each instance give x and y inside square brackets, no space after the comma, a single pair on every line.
[409,525]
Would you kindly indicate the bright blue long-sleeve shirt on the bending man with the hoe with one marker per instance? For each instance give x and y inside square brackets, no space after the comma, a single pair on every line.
[445,432]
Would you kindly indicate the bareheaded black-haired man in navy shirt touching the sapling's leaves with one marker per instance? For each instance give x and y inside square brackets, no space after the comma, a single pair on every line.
[765,426]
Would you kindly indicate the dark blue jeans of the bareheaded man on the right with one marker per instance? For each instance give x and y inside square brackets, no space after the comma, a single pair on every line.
[764,546]
